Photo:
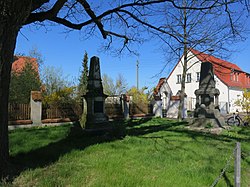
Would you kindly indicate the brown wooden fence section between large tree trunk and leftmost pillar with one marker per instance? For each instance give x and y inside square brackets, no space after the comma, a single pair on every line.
[19,112]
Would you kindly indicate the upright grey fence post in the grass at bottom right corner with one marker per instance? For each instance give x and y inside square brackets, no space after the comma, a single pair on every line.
[237,165]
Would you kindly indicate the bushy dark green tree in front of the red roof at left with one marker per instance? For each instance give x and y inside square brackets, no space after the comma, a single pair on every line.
[23,82]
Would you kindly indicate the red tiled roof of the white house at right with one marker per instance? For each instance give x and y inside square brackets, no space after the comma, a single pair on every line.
[229,73]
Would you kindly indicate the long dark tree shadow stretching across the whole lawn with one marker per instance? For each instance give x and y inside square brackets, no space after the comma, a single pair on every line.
[79,140]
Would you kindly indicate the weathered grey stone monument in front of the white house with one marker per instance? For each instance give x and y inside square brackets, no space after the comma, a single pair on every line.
[207,103]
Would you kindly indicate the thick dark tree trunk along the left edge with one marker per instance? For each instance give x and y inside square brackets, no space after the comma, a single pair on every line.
[12,15]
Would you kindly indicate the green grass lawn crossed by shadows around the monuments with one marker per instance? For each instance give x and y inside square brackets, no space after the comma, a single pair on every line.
[154,152]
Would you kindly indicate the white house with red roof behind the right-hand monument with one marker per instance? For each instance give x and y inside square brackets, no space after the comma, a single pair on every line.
[230,80]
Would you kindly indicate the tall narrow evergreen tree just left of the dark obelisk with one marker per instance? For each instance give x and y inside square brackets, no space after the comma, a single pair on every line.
[83,80]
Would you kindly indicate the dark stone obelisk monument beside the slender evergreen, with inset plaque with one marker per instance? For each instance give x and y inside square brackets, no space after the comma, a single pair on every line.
[95,98]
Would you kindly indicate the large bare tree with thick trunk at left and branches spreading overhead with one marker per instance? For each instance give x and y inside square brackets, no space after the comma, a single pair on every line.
[123,20]
